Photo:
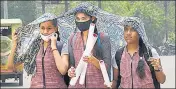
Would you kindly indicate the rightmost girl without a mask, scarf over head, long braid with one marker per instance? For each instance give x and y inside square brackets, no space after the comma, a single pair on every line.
[139,65]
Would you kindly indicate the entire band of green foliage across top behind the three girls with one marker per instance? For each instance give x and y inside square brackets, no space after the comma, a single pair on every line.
[152,14]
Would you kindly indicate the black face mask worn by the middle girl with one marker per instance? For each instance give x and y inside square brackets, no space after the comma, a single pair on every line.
[83,26]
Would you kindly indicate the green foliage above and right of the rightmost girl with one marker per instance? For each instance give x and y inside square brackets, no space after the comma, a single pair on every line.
[152,14]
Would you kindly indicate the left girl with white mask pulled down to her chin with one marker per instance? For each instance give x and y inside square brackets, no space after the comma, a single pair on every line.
[49,65]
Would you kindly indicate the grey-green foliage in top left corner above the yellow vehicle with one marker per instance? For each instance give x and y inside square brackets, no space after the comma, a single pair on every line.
[25,10]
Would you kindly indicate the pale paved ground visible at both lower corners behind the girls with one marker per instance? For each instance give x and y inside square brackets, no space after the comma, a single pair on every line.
[168,63]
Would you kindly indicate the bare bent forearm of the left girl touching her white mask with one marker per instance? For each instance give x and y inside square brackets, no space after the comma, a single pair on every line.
[61,62]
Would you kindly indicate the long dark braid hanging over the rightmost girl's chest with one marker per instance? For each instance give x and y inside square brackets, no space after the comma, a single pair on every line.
[141,64]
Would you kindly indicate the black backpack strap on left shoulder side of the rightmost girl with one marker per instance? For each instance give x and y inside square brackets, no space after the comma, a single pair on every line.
[118,56]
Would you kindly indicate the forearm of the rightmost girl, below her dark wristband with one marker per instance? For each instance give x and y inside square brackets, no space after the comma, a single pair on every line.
[160,76]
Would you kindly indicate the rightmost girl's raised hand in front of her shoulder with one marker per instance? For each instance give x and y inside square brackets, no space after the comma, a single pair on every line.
[155,63]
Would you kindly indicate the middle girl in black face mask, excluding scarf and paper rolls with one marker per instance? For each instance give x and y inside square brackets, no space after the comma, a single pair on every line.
[94,77]
